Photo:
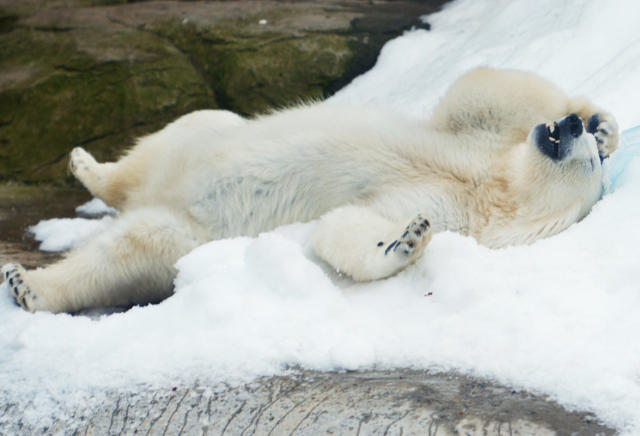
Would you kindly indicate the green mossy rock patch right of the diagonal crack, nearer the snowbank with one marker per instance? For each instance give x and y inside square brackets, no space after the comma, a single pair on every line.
[250,74]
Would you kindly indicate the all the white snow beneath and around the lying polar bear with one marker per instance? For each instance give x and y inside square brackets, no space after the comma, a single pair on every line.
[559,317]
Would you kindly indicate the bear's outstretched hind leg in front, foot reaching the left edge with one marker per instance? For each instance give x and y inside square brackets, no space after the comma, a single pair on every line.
[132,262]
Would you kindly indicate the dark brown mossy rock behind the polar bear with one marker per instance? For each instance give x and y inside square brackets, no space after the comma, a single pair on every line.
[100,73]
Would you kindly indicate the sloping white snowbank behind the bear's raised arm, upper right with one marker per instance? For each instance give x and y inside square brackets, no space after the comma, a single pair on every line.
[584,46]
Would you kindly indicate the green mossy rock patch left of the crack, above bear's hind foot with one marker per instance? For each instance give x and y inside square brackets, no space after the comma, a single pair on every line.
[100,105]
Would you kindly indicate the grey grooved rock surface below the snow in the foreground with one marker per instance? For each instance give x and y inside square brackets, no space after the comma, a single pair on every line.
[401,402]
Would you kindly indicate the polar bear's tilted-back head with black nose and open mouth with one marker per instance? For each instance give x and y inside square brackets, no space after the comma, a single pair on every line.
[542,186]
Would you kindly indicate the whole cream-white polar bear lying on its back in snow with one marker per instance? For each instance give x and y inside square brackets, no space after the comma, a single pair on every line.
[506,157]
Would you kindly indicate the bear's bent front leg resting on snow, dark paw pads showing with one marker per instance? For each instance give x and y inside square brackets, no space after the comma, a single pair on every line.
[361,243]
